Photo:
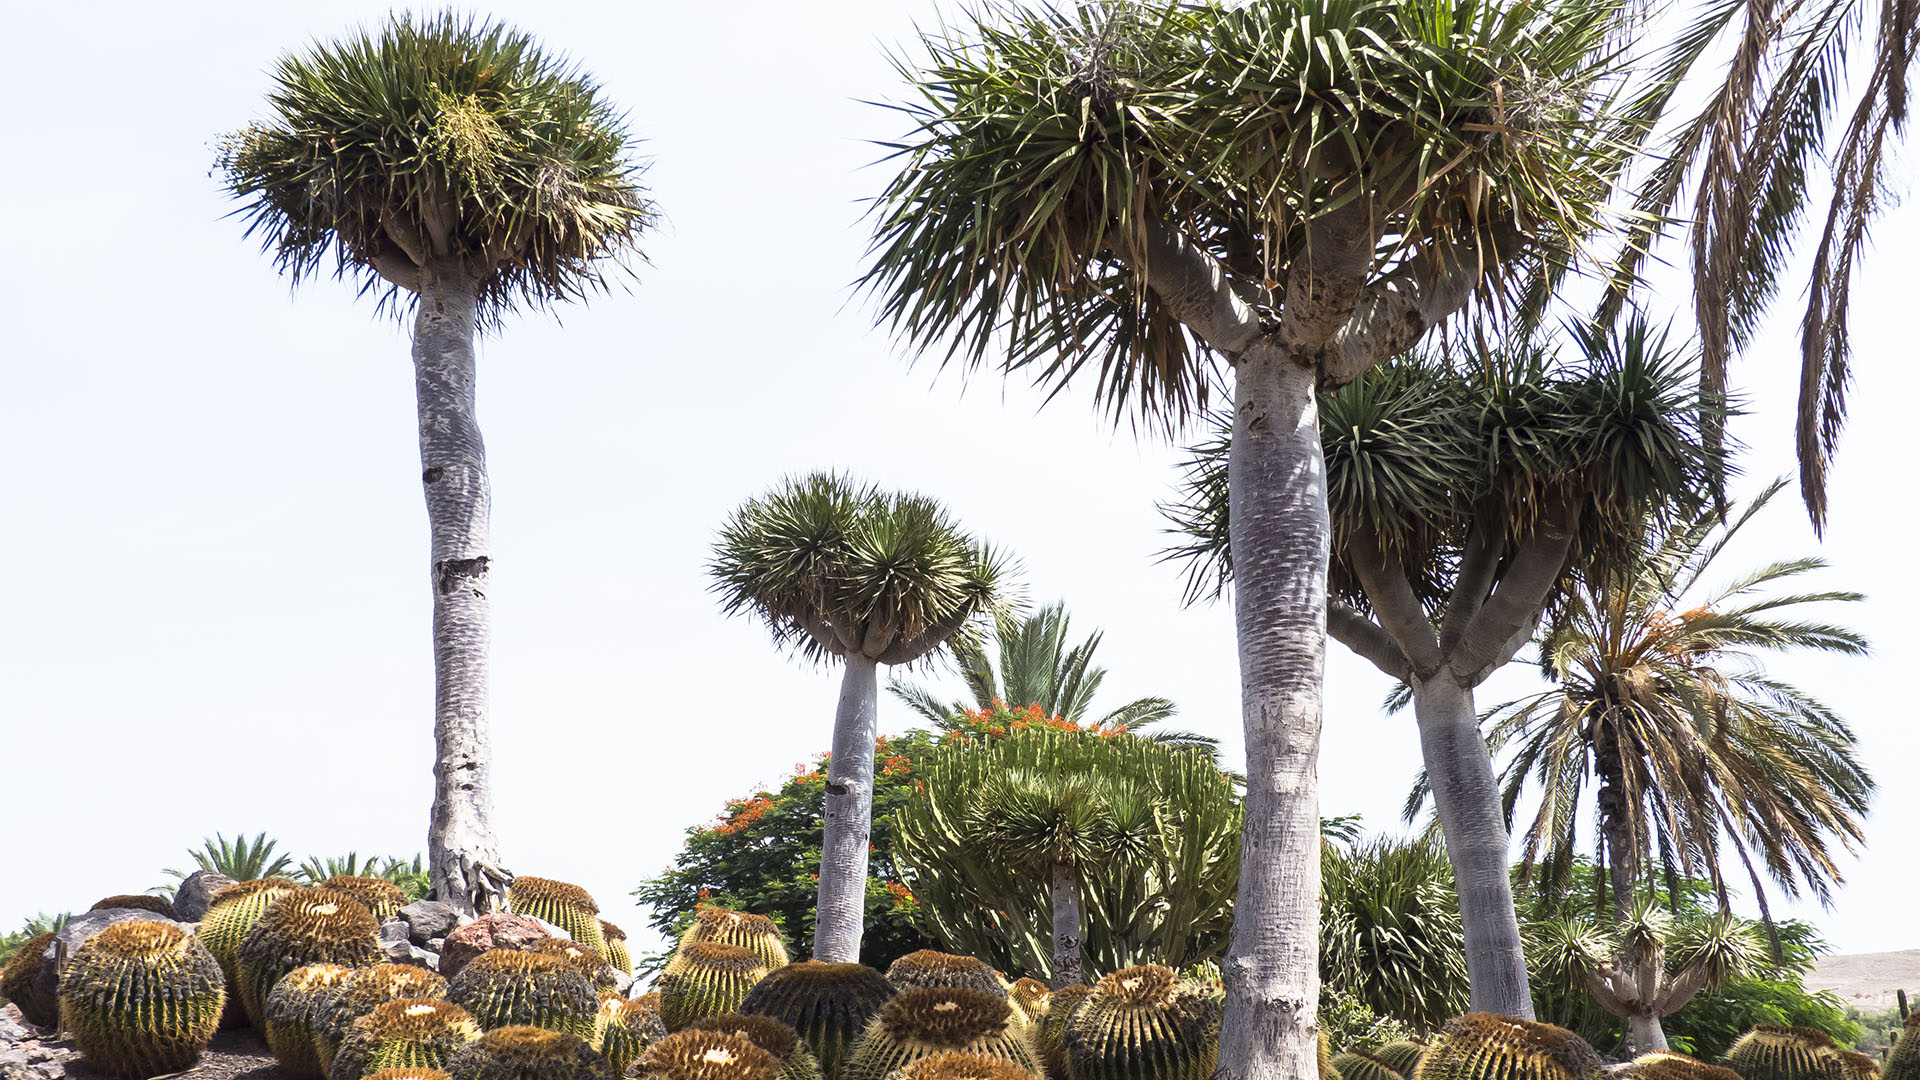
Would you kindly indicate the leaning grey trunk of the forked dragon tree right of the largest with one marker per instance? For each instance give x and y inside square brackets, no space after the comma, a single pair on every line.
[1468,800]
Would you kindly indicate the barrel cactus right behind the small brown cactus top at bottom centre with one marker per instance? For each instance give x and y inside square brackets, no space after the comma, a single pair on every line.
[926,1021]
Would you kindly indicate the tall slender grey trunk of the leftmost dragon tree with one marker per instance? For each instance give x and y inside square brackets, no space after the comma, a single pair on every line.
[460,843]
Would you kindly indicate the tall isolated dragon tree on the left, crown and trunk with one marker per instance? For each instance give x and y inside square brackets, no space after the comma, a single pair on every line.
[468,174]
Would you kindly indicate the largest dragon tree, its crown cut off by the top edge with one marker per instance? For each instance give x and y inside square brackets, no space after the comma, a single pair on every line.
[1128,193]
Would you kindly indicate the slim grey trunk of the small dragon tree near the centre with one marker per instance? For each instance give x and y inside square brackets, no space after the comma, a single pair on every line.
[840,914]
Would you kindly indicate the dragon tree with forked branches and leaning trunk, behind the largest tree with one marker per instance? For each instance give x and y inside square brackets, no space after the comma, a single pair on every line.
[1462,495]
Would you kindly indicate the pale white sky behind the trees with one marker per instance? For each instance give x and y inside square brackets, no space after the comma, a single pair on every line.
[214,599]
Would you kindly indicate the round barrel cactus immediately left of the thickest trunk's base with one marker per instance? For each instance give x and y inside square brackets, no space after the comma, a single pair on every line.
[1143,1023]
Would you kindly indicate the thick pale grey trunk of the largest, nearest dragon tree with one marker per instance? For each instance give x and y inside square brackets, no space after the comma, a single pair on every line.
[1280,535]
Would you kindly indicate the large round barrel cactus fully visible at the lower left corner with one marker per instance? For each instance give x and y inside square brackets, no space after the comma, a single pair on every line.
[141,998]
